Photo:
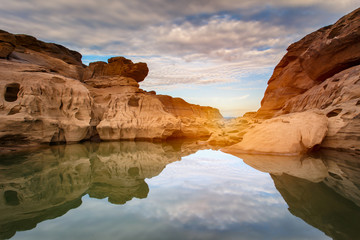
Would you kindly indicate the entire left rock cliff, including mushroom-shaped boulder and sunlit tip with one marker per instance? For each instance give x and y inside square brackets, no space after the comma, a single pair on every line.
[47,96]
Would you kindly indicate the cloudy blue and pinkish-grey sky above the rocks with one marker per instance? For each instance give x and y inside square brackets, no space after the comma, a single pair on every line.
[217,53]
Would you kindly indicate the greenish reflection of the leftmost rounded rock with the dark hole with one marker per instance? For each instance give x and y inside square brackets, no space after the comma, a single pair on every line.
[42,186]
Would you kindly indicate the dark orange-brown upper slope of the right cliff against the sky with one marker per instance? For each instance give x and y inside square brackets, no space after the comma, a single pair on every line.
[313,59]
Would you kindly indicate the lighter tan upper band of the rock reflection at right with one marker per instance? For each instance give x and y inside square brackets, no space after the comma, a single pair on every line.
[338,170]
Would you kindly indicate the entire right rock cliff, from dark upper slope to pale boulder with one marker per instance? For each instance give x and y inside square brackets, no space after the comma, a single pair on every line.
[312,99]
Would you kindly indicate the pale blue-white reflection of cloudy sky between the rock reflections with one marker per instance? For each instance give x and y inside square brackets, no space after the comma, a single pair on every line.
[208,195]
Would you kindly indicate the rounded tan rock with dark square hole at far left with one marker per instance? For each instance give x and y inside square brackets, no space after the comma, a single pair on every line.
[38,107]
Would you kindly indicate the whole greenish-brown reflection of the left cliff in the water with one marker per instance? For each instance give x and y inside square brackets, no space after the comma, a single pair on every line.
[48,183]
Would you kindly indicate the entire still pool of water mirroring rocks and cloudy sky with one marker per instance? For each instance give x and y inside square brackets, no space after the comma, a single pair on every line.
[128,190]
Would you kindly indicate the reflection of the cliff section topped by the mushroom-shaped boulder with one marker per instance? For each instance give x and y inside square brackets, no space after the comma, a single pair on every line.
[119,169]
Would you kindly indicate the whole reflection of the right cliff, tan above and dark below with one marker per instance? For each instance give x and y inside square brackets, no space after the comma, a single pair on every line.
[323,190]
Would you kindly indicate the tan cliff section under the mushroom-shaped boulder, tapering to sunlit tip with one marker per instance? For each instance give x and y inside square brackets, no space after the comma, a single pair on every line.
[124,111]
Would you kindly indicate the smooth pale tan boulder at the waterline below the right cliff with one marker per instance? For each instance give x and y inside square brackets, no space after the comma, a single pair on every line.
[290,134]
